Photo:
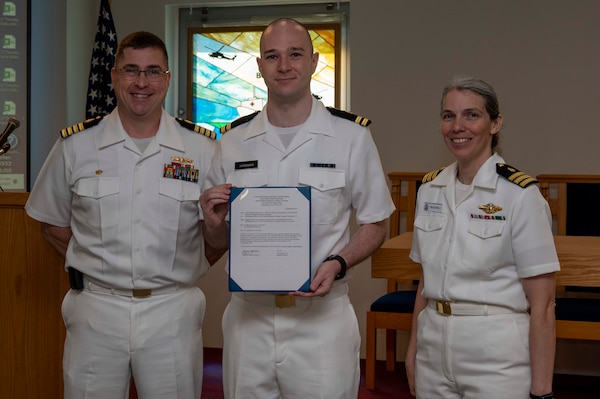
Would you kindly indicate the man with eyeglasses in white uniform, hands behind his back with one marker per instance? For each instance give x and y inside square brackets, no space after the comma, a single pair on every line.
[118,197]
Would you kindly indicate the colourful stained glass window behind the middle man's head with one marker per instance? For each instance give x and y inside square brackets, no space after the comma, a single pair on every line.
[225,83]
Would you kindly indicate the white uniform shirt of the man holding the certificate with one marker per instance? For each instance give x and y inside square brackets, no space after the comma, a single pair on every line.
[334,156]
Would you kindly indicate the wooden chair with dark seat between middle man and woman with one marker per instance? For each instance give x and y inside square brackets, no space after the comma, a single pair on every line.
[393,311]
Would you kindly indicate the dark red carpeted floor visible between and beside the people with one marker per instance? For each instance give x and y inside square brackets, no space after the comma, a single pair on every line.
[392,384]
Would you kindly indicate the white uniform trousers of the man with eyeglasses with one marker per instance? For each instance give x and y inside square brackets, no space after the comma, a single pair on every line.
[110,338]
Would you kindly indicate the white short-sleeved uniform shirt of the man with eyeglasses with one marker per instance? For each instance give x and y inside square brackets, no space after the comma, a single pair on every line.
[132,227]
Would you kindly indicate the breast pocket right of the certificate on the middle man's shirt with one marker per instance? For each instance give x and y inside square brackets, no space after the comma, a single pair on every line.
[326,196]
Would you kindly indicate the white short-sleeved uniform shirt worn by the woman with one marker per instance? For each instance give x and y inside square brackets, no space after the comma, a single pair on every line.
[469,255]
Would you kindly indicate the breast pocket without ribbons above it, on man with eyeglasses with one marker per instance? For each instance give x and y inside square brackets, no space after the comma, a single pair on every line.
[97,199]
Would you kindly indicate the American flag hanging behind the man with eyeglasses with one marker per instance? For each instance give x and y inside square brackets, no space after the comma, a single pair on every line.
[101,97]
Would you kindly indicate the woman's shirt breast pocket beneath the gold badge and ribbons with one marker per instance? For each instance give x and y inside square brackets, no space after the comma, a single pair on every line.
[484,242]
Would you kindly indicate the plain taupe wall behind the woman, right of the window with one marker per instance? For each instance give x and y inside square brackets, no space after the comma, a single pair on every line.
[541,55]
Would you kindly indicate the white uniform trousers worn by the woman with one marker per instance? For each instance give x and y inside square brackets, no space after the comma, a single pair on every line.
[472,357]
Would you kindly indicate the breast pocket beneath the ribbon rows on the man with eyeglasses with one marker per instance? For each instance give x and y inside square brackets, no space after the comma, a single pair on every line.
[178,204]
